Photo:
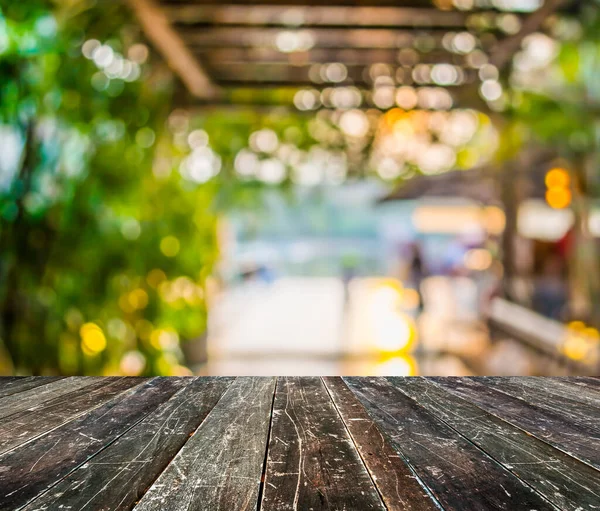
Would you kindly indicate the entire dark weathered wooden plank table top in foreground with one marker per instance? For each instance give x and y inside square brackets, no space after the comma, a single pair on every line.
[166,444]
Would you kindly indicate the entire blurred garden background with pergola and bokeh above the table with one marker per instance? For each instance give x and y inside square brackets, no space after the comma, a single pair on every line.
[359,188]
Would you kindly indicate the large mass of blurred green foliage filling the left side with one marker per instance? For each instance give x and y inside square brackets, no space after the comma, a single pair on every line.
[90,233]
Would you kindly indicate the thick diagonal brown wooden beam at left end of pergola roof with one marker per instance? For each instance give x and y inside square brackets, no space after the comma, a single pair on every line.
[174,50]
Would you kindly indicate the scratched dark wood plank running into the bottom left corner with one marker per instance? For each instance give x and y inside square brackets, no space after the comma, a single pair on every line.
[32,469]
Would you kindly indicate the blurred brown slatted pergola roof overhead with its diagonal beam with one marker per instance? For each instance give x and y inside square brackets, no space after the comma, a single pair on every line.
[256,52]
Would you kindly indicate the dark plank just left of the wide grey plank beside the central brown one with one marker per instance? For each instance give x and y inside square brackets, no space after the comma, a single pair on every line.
[119,475]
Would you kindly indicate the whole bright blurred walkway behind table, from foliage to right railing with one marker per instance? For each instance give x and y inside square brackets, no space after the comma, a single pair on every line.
[302,326]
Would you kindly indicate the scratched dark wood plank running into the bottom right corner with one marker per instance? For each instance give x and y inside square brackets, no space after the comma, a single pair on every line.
[561,479]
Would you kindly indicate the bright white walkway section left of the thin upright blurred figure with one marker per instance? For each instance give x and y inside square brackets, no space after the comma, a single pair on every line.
[290,326]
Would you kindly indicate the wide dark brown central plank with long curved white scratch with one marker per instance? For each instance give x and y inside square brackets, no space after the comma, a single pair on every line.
[312,462]
